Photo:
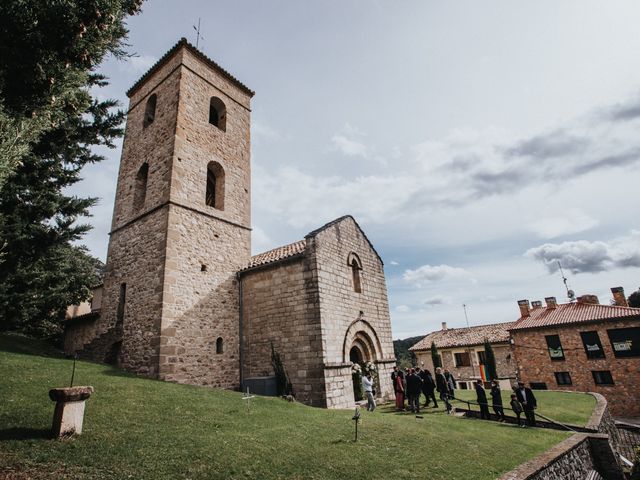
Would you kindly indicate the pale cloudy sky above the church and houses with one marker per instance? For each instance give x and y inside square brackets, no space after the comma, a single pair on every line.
[476,143]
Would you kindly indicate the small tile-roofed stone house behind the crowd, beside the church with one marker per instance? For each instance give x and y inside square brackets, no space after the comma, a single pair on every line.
[461,351]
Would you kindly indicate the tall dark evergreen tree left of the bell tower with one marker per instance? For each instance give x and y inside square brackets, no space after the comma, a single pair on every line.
[48,123]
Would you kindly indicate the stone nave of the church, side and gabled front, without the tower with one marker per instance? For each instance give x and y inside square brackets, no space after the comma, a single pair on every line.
[308,308]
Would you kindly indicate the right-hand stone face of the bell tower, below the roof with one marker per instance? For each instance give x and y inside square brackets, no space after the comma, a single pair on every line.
[206,246]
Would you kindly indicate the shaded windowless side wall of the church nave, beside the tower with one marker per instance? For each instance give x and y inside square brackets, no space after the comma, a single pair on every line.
[280,306]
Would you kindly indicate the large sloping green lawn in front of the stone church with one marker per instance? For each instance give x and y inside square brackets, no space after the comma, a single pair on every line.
[144,429]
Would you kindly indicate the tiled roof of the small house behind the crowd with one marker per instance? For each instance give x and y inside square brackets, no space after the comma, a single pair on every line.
[462,337]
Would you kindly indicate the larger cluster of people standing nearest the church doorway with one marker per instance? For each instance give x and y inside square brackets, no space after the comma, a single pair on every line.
[408,386]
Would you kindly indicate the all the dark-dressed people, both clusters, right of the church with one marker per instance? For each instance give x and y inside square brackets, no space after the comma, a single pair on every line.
[410,383]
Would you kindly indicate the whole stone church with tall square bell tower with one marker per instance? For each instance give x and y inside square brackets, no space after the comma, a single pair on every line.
[183,300]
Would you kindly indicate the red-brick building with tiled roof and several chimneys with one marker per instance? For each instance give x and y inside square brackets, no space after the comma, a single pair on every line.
[581,346]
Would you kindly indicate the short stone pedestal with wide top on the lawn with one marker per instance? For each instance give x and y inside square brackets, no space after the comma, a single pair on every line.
[69,412]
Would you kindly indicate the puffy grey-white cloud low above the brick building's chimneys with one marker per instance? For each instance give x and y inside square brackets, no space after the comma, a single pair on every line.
[586,256]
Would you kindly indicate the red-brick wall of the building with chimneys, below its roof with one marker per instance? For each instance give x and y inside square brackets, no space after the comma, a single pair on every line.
[535,365]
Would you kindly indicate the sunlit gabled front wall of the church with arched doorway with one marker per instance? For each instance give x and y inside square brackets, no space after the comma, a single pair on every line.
[341,307]
